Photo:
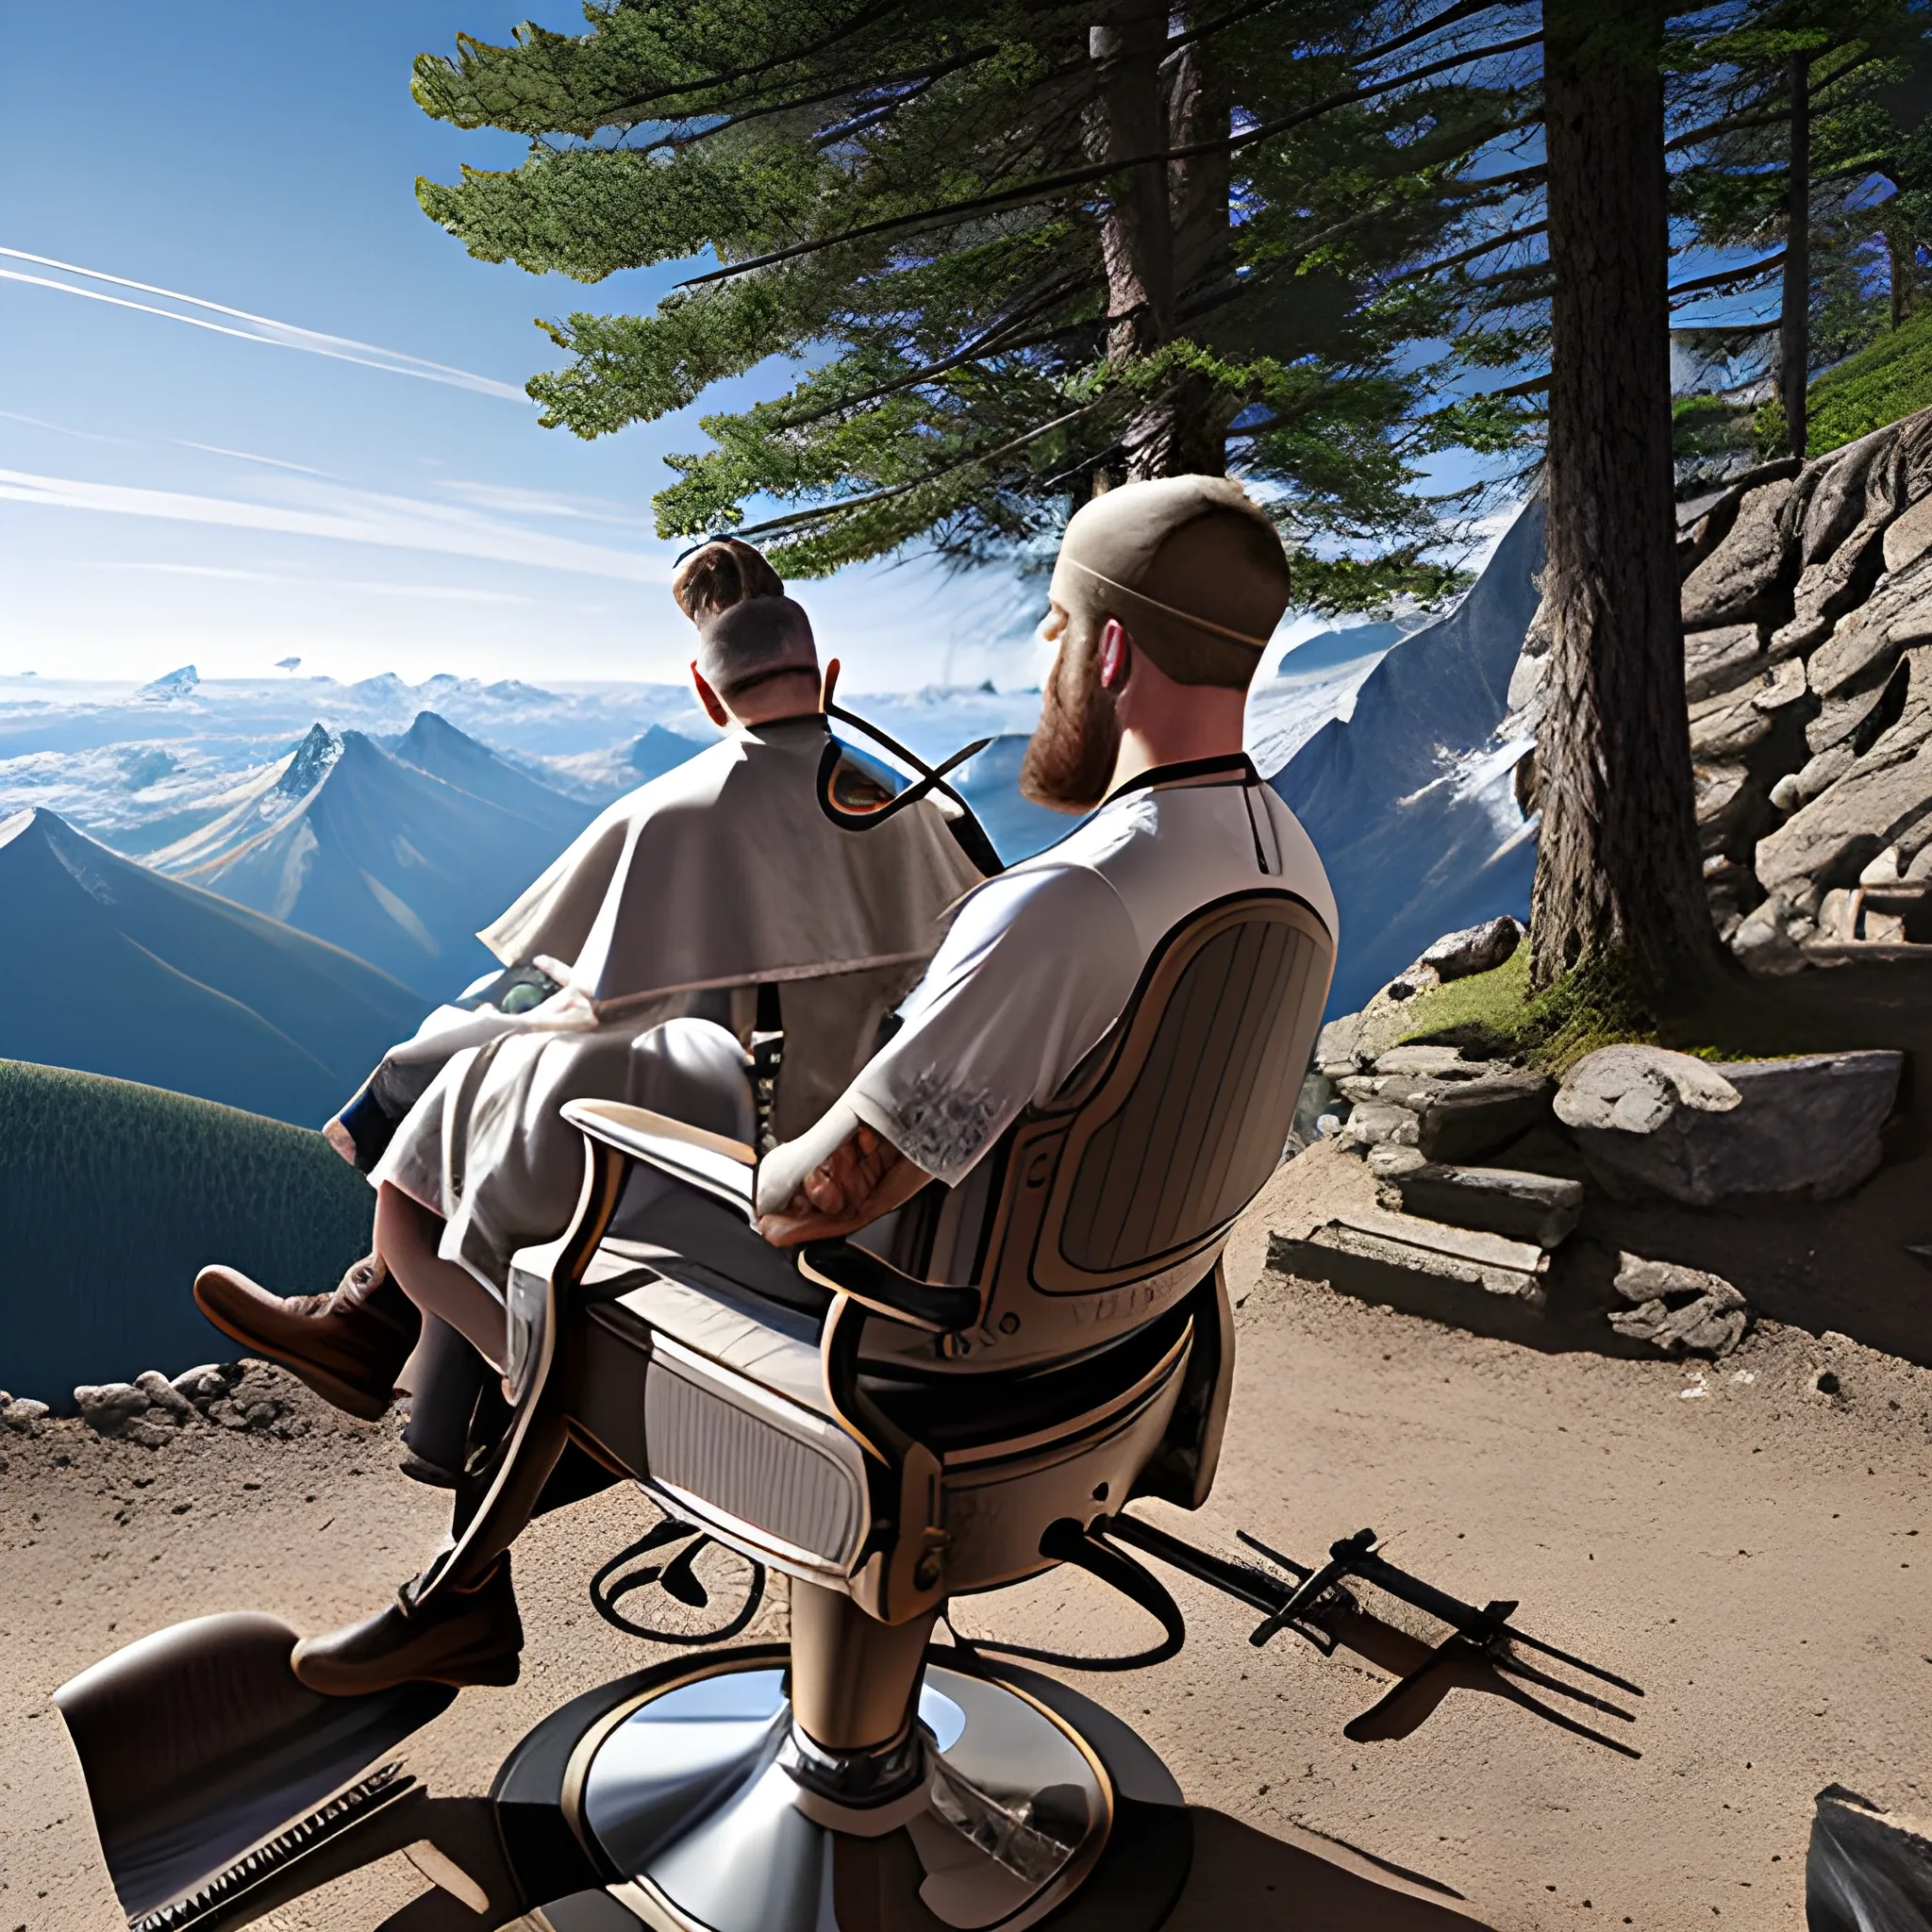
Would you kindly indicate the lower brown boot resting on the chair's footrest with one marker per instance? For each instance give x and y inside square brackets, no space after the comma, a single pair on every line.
[459,1637]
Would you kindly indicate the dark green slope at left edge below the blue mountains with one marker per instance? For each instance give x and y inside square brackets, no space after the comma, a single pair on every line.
[115,1195]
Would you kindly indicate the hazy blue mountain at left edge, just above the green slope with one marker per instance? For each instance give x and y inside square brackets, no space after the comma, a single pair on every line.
[146,979]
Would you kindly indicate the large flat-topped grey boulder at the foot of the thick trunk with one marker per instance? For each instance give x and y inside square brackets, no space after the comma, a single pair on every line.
[1649,1125]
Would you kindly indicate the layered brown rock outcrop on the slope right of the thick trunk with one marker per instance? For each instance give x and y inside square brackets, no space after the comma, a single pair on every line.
[1807,604]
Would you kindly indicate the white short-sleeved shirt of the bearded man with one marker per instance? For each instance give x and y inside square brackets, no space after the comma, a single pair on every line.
[1044,959]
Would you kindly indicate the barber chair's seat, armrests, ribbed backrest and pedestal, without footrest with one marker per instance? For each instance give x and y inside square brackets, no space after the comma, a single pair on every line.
[988,1378]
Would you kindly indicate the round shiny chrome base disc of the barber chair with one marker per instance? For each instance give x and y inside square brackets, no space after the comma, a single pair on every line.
[695,1804]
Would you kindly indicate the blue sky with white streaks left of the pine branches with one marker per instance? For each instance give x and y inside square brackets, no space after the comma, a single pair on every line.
[173,494]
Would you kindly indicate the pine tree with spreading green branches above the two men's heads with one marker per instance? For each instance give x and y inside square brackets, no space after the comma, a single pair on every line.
[1019,254]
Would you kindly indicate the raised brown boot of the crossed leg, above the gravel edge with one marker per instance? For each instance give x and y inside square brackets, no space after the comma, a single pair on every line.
[349,1346]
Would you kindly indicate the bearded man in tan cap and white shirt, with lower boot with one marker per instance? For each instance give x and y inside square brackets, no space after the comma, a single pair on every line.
[1164,600]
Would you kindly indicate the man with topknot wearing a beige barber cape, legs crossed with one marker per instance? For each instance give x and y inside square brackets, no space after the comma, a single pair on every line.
[714,892]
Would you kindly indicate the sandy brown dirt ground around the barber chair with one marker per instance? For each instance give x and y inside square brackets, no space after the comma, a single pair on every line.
[1740,1543]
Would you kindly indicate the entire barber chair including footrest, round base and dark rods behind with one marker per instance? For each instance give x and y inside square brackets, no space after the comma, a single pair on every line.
[963,1398]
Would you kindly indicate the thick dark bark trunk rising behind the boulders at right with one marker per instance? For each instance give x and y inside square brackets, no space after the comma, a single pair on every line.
[1618,872]
